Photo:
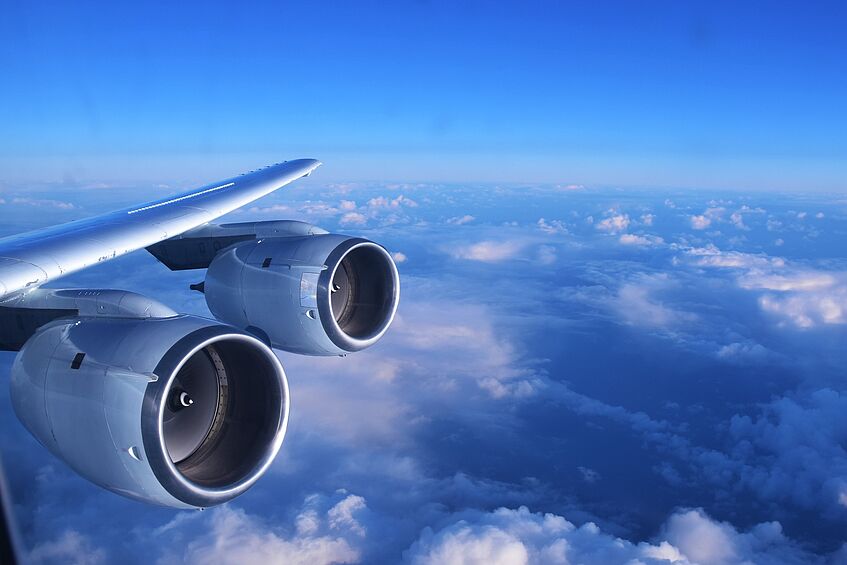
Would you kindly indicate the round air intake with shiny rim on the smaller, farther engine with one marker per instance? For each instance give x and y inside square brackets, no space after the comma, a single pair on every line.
[373,296]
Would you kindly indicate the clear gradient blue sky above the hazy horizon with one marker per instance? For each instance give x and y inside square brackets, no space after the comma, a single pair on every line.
[677,94]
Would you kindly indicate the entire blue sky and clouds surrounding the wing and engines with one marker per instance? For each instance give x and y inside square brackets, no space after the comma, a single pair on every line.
[620,231]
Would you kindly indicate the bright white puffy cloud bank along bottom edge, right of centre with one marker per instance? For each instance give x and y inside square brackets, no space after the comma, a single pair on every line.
[516,537]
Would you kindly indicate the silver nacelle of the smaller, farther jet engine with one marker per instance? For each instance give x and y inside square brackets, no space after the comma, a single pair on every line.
[320,294]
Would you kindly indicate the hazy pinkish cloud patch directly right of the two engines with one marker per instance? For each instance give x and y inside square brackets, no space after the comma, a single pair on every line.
[459,363]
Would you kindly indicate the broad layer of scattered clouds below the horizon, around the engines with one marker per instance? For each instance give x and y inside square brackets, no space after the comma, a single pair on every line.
[481,362]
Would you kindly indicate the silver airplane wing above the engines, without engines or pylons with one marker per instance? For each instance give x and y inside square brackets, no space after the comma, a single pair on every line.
[33,258]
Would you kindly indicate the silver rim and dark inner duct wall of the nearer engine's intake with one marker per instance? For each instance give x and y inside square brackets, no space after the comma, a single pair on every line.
[206,477]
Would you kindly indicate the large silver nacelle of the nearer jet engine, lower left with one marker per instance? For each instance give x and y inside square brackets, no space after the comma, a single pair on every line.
[179,411]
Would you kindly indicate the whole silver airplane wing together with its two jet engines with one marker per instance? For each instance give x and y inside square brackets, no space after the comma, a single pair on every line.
[173,409]
